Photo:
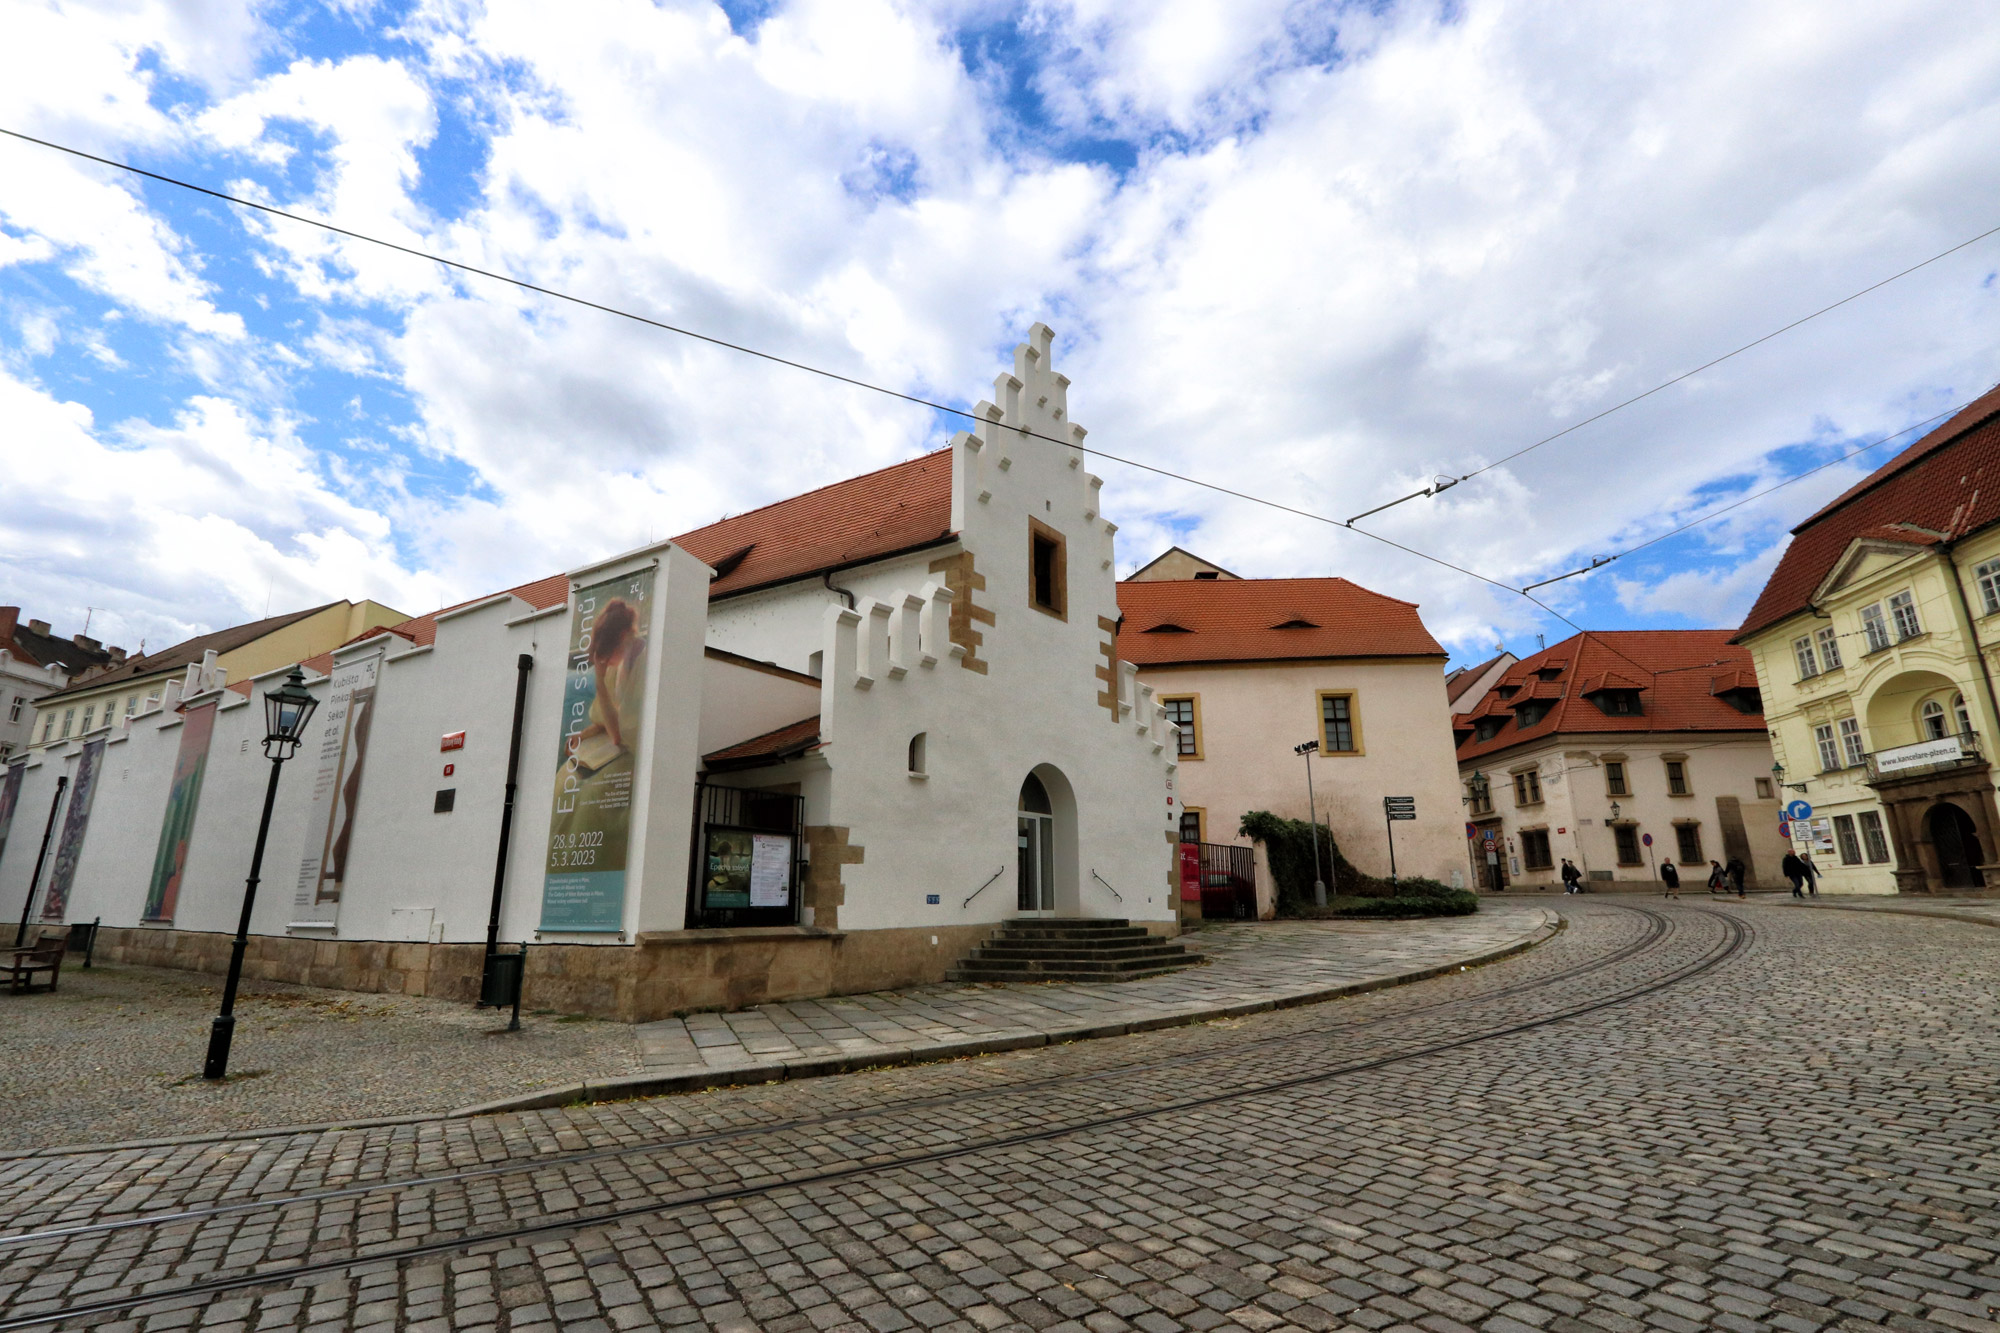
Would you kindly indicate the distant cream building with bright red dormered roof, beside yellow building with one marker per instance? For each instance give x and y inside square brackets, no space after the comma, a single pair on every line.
[1621,752]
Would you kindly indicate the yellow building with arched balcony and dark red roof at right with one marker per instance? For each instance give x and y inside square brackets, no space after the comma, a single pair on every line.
[1877,645]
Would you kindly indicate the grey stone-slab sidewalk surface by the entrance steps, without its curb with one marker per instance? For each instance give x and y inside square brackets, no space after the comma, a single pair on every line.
[1245,964]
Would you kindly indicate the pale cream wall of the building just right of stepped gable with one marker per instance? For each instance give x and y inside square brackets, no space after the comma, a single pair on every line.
[1253,716]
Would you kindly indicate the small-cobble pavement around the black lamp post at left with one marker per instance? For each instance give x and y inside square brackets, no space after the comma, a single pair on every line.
[115,1052]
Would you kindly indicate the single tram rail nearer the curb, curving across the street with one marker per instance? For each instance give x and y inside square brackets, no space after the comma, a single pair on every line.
[1655,930]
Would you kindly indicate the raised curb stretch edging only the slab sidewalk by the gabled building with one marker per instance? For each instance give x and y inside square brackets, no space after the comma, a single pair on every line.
[889,1058]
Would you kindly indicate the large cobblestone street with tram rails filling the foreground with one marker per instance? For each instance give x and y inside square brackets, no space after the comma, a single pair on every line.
[1669,1118]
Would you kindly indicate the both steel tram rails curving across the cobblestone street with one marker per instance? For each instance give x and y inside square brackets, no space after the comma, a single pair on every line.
[1733,940]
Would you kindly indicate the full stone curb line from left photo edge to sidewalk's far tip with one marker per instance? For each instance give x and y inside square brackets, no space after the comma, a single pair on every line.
[821,1066]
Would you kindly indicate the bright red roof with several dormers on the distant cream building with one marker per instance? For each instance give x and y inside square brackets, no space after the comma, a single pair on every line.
[1677,670]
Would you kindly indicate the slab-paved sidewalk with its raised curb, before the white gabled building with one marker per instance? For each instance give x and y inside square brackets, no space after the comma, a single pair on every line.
[1247,968]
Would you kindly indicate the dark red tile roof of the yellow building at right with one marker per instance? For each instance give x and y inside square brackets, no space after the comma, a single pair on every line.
[1945,483]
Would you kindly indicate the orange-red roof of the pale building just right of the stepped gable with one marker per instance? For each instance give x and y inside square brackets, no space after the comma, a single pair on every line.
[1237,621]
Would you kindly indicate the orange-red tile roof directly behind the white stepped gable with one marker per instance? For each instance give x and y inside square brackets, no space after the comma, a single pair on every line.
[901,507]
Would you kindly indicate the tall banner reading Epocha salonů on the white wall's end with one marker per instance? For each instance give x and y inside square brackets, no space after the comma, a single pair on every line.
[599,754]
